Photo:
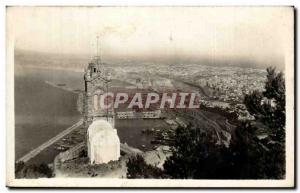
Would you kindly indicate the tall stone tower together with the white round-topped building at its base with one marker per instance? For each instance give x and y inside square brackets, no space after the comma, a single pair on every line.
[102,139]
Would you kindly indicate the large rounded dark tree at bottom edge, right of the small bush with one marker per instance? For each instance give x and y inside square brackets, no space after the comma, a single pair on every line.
[196,156]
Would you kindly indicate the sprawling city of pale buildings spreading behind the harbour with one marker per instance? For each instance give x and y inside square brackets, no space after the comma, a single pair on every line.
[221,87]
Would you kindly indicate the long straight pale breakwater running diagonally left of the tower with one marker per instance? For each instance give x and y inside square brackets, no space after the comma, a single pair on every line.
[40,148]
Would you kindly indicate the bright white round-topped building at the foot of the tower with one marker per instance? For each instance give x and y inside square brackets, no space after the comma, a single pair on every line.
[103,142]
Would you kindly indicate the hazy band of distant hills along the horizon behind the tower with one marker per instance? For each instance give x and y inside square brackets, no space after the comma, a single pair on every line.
[79,61]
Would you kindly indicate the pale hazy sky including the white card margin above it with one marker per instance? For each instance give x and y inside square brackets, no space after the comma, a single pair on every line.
[256,33]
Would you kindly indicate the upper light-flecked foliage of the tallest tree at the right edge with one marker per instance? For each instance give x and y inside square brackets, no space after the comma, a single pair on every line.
[269,106]
